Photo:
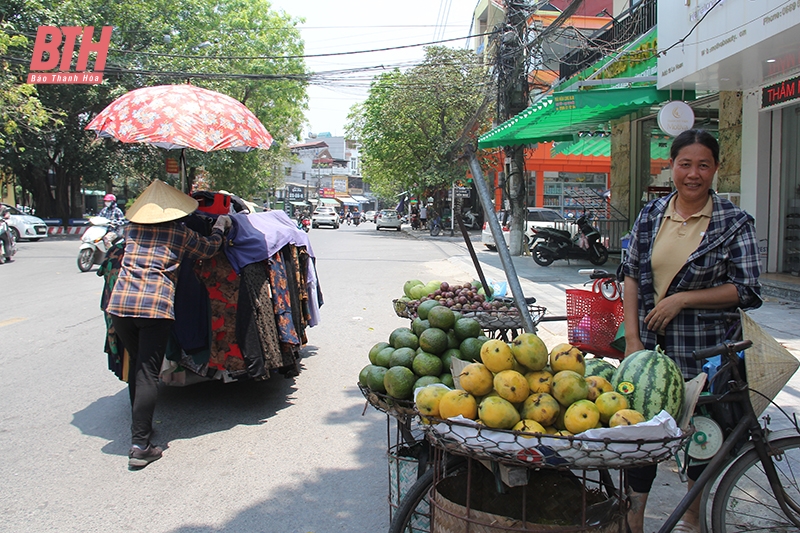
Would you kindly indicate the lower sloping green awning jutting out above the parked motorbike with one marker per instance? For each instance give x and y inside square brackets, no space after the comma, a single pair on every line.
[560,116]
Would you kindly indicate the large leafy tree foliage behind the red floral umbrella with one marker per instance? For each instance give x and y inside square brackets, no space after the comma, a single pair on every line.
[217,46]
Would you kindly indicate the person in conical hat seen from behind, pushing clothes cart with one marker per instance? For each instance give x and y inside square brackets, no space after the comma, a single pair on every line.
[142,302]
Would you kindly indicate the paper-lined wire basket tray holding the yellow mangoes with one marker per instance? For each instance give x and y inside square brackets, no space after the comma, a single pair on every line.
[461,436]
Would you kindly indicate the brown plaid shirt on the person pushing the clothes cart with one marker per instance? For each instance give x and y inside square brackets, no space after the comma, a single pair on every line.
[145,287]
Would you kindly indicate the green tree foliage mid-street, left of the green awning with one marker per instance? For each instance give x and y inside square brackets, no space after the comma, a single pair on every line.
[414,125]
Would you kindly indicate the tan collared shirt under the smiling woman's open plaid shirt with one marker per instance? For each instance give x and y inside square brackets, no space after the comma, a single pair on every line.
[676,240]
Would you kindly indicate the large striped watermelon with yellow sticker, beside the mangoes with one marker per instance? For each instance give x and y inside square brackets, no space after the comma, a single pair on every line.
[651,381]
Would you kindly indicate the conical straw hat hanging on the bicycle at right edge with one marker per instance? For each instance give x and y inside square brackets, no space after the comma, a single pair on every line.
[769,365]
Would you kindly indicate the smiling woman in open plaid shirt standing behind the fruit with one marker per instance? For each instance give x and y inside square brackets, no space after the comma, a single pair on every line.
[689,252]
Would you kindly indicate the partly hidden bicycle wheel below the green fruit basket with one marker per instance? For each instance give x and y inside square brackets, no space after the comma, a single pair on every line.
[414,513]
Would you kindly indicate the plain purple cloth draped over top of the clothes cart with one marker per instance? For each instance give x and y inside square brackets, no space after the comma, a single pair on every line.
[258,236]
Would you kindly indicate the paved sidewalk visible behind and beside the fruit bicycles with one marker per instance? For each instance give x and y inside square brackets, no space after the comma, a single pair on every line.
[778,318]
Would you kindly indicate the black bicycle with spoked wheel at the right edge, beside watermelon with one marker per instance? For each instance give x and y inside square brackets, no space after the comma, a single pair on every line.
[753,474]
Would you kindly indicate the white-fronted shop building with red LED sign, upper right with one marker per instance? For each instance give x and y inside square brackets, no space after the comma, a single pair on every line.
[746,54]
